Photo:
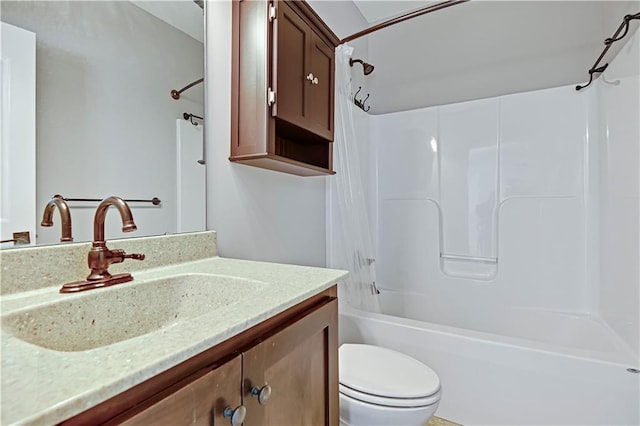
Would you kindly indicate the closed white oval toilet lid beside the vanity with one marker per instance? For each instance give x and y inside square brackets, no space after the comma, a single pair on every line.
[385,372]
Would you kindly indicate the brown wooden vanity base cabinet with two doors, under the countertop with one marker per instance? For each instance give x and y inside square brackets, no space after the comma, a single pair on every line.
[295,353]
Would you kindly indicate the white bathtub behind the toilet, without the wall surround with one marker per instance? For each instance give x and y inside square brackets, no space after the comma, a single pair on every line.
[510,366]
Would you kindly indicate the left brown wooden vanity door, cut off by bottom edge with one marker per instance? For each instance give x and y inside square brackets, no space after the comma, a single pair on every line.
[200,402]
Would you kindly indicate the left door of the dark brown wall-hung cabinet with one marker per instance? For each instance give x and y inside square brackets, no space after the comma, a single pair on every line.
[292,46]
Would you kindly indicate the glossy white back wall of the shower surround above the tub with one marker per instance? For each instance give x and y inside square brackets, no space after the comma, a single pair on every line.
[501,178]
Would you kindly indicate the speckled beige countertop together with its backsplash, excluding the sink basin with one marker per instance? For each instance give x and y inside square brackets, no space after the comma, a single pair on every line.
[43,386]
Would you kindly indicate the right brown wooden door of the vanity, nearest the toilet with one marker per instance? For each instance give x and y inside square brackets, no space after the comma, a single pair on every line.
[300,365]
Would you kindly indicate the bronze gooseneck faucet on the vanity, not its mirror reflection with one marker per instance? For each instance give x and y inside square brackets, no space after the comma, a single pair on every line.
[100,257]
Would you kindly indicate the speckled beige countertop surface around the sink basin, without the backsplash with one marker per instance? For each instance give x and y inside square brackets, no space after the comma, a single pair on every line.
[42,386]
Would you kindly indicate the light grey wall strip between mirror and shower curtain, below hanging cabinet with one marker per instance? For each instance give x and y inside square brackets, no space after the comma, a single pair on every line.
[258,214]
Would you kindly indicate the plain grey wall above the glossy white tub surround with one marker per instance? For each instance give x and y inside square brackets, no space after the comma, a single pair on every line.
[482,49]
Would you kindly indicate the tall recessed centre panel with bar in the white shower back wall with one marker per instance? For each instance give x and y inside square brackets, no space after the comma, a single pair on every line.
[469,187]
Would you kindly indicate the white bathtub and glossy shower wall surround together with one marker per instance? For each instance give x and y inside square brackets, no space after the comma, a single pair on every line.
[507,247]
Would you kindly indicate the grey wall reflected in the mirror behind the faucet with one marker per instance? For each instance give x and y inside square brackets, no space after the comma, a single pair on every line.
[105,119]
